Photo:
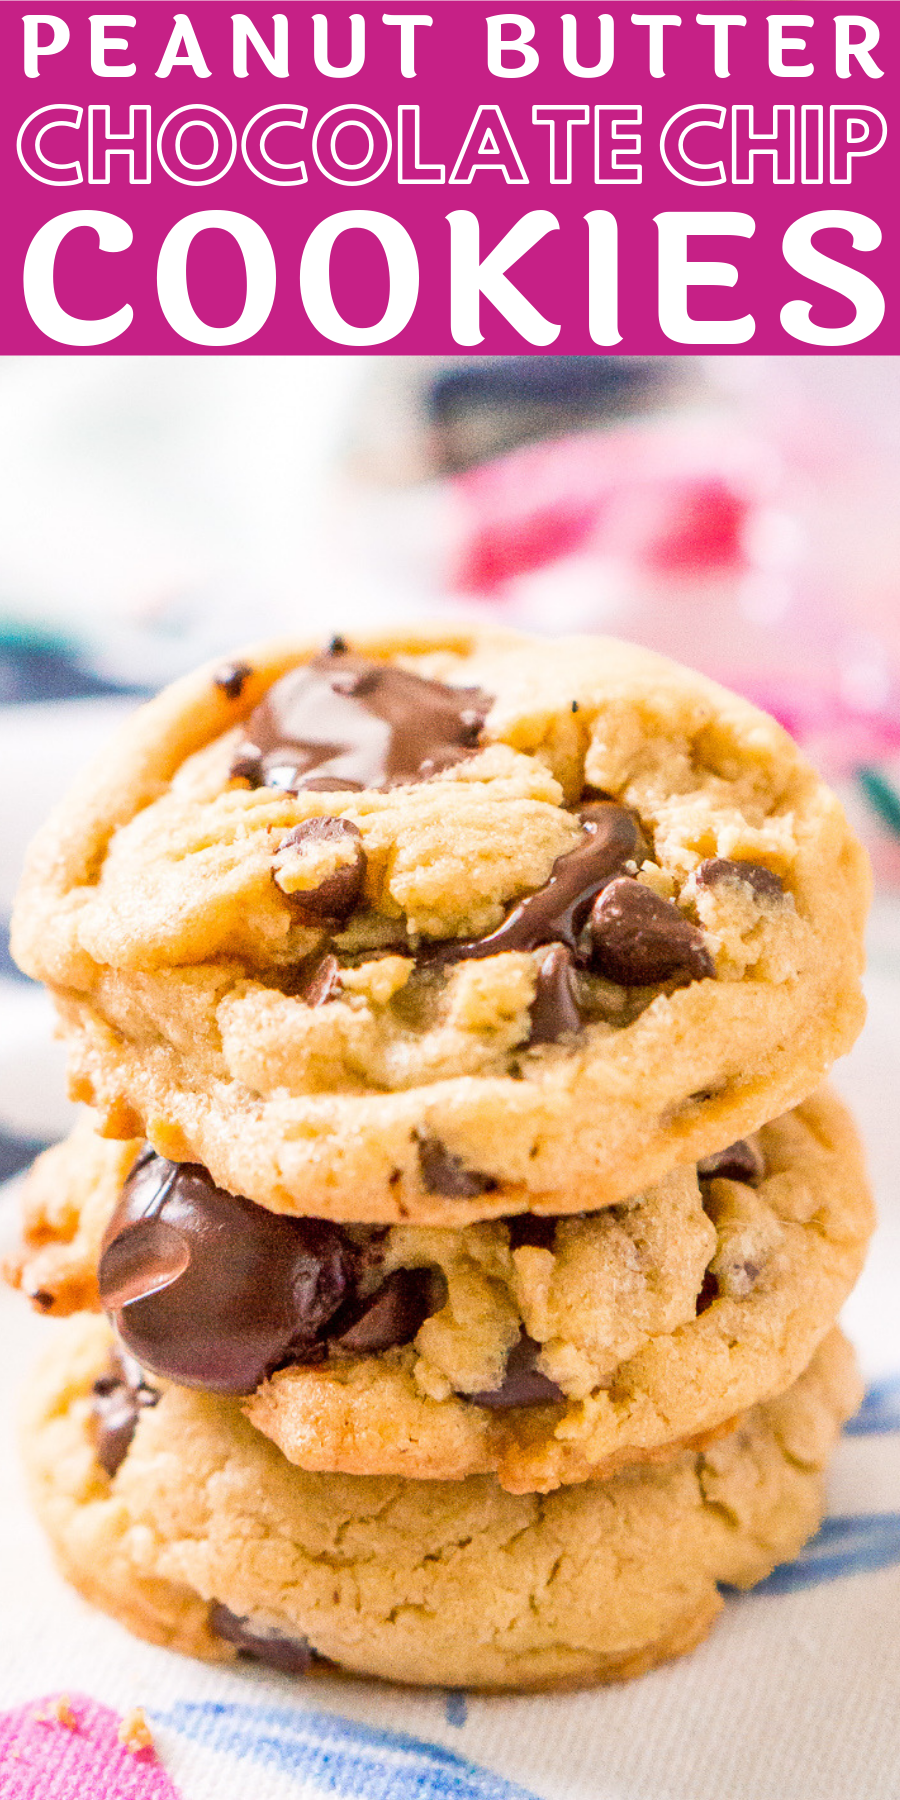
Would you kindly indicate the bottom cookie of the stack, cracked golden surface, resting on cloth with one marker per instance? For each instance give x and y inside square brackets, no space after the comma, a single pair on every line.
[210,1542]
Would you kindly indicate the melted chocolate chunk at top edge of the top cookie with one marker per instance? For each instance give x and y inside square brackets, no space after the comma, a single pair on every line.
[346,723]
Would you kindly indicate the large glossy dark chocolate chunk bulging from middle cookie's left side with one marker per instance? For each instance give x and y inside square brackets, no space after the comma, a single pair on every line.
[211,1290]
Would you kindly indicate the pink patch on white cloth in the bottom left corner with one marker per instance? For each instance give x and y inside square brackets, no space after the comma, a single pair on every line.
[44,1759]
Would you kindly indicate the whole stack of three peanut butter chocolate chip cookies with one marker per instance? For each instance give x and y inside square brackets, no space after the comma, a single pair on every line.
[458,1227]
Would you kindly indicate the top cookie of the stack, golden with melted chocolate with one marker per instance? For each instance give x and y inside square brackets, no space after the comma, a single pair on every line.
[447,926]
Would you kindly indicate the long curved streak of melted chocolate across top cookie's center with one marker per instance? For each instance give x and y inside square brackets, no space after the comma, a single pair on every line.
[557,913]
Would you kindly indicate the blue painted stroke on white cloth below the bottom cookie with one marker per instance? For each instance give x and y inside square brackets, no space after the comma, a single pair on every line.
[341,1756]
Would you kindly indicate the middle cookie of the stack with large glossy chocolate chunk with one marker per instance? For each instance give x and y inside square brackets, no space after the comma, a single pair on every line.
[546,1351]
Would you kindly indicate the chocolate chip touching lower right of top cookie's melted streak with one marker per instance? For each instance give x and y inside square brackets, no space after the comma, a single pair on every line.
[642,939]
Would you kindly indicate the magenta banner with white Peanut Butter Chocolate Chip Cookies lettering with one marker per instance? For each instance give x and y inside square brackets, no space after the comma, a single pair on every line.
[460,179]
